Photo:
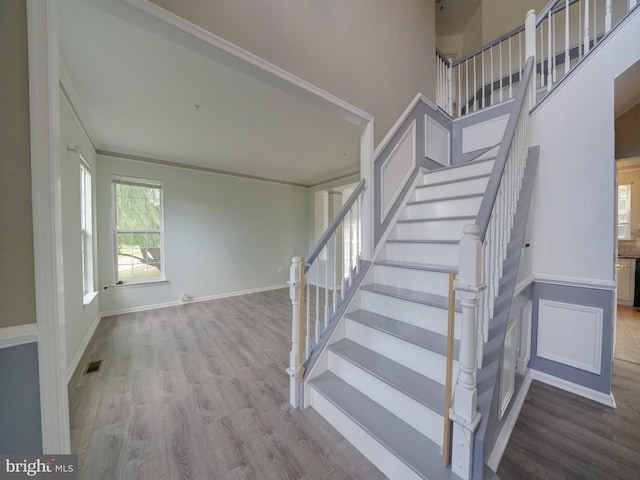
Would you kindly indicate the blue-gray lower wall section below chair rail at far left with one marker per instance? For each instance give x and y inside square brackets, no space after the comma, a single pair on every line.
[20,430]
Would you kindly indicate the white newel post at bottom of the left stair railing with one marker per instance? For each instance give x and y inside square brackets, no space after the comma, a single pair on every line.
[295,370]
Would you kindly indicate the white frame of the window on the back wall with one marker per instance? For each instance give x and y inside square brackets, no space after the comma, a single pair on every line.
[116,179]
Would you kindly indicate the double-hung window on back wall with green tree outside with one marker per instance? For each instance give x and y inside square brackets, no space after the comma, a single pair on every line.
[138,230]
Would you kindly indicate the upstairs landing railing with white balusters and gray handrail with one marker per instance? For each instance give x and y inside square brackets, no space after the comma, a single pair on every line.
[566,30]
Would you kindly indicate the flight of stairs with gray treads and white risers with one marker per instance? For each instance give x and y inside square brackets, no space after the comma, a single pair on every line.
[384,386]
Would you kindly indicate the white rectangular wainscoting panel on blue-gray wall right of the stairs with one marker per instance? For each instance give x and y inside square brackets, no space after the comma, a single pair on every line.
[570,334]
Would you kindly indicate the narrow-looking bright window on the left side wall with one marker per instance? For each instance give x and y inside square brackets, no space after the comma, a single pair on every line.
[86,228]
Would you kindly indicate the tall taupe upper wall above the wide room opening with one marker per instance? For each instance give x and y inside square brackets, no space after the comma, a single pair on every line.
[375,55]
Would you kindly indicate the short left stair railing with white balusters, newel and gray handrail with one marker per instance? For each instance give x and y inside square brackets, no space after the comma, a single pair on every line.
[321,284]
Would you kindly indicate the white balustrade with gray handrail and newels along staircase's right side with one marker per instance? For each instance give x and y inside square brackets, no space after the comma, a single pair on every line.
[482,252]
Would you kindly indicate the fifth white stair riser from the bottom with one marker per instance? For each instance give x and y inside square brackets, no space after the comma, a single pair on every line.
[413,279]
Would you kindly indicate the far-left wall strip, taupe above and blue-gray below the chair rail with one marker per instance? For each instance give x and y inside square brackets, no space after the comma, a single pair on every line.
[20,429]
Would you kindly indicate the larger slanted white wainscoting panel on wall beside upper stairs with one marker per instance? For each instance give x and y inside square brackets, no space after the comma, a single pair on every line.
[397,169]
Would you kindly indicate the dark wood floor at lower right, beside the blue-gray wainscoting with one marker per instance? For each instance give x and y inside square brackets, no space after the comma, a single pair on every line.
[560,436]
